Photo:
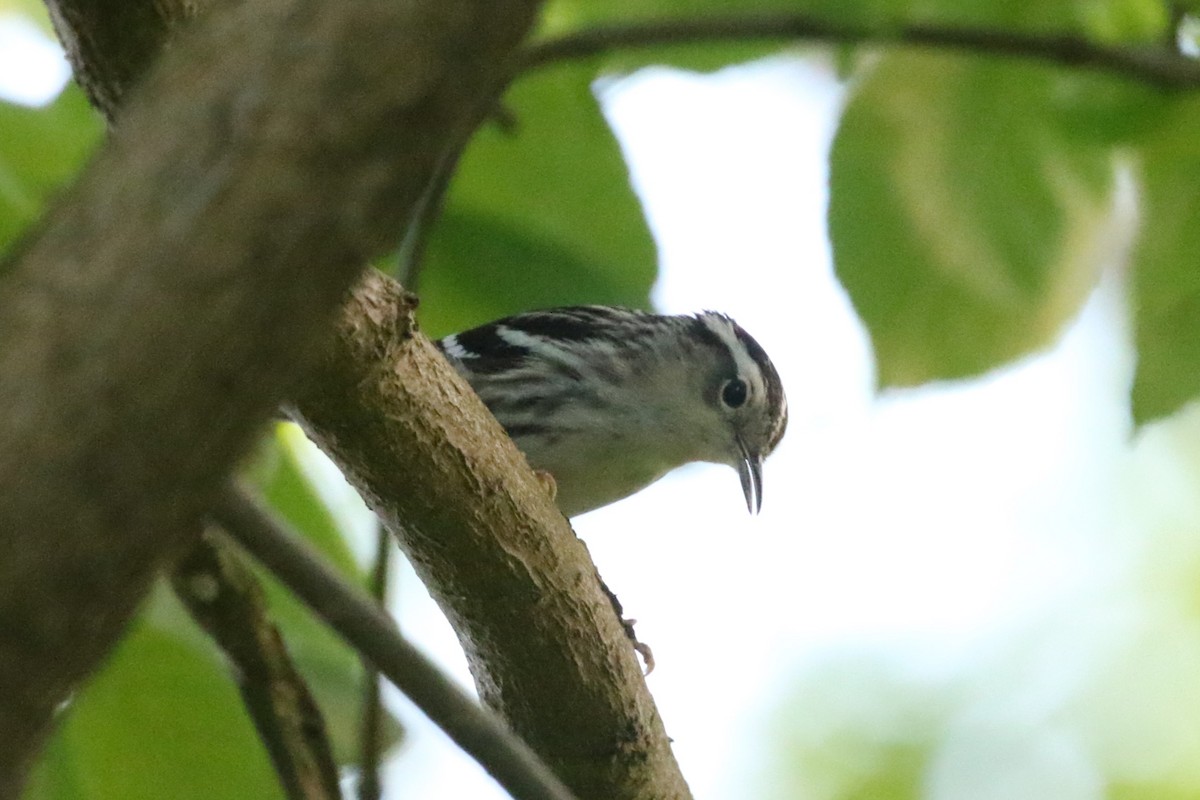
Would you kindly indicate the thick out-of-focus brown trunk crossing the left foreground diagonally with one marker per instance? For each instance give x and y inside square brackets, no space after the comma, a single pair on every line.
[187,282]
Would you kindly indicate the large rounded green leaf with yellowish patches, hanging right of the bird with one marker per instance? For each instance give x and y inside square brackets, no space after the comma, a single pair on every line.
[967,227]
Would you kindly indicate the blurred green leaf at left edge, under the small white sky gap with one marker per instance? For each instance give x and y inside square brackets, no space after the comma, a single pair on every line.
[41,151]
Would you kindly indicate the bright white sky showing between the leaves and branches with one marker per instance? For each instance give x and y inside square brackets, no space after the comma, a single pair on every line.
[938,532]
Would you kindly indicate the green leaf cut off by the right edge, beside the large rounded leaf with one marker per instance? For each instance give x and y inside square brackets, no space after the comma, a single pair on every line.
[1167,269]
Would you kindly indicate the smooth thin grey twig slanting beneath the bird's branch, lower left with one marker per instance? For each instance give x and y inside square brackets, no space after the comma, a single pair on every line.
[373,634]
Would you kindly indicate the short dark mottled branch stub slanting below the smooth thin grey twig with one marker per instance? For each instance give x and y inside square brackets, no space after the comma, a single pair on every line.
[227,600]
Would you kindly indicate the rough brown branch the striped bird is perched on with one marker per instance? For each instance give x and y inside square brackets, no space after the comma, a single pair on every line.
[541,635]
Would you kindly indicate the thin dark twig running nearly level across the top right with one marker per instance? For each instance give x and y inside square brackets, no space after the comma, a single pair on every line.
[1155,67]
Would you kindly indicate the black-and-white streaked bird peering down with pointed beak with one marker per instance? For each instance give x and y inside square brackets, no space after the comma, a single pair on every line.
[609,400]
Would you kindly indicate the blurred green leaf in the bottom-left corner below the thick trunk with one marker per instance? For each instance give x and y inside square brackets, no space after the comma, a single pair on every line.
[161,720]
